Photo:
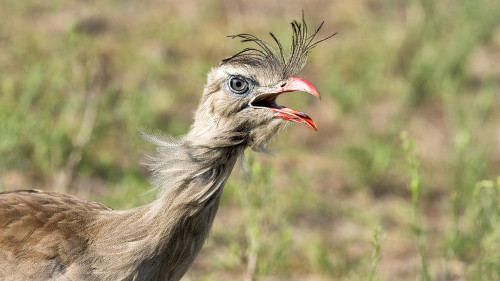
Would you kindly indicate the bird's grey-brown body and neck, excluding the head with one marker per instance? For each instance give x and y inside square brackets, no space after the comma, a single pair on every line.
[56,233]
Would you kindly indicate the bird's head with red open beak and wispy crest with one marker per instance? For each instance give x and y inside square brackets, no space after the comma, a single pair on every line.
[240,94]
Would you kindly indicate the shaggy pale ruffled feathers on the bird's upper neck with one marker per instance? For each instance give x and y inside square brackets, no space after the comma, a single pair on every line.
[202,156]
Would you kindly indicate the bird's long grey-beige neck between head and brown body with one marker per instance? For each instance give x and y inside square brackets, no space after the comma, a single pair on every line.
[168,233]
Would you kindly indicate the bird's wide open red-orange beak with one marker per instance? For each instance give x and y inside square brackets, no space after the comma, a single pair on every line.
[293,84]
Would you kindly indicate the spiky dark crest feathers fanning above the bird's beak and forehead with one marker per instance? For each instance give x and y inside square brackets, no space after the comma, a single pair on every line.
[275,60]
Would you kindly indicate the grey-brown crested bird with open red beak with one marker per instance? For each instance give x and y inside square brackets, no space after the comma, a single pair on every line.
[50,236]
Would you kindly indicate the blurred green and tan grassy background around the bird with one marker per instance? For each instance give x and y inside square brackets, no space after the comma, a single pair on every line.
[399,183]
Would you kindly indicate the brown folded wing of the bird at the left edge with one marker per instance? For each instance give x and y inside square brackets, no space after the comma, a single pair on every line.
[45,230]
